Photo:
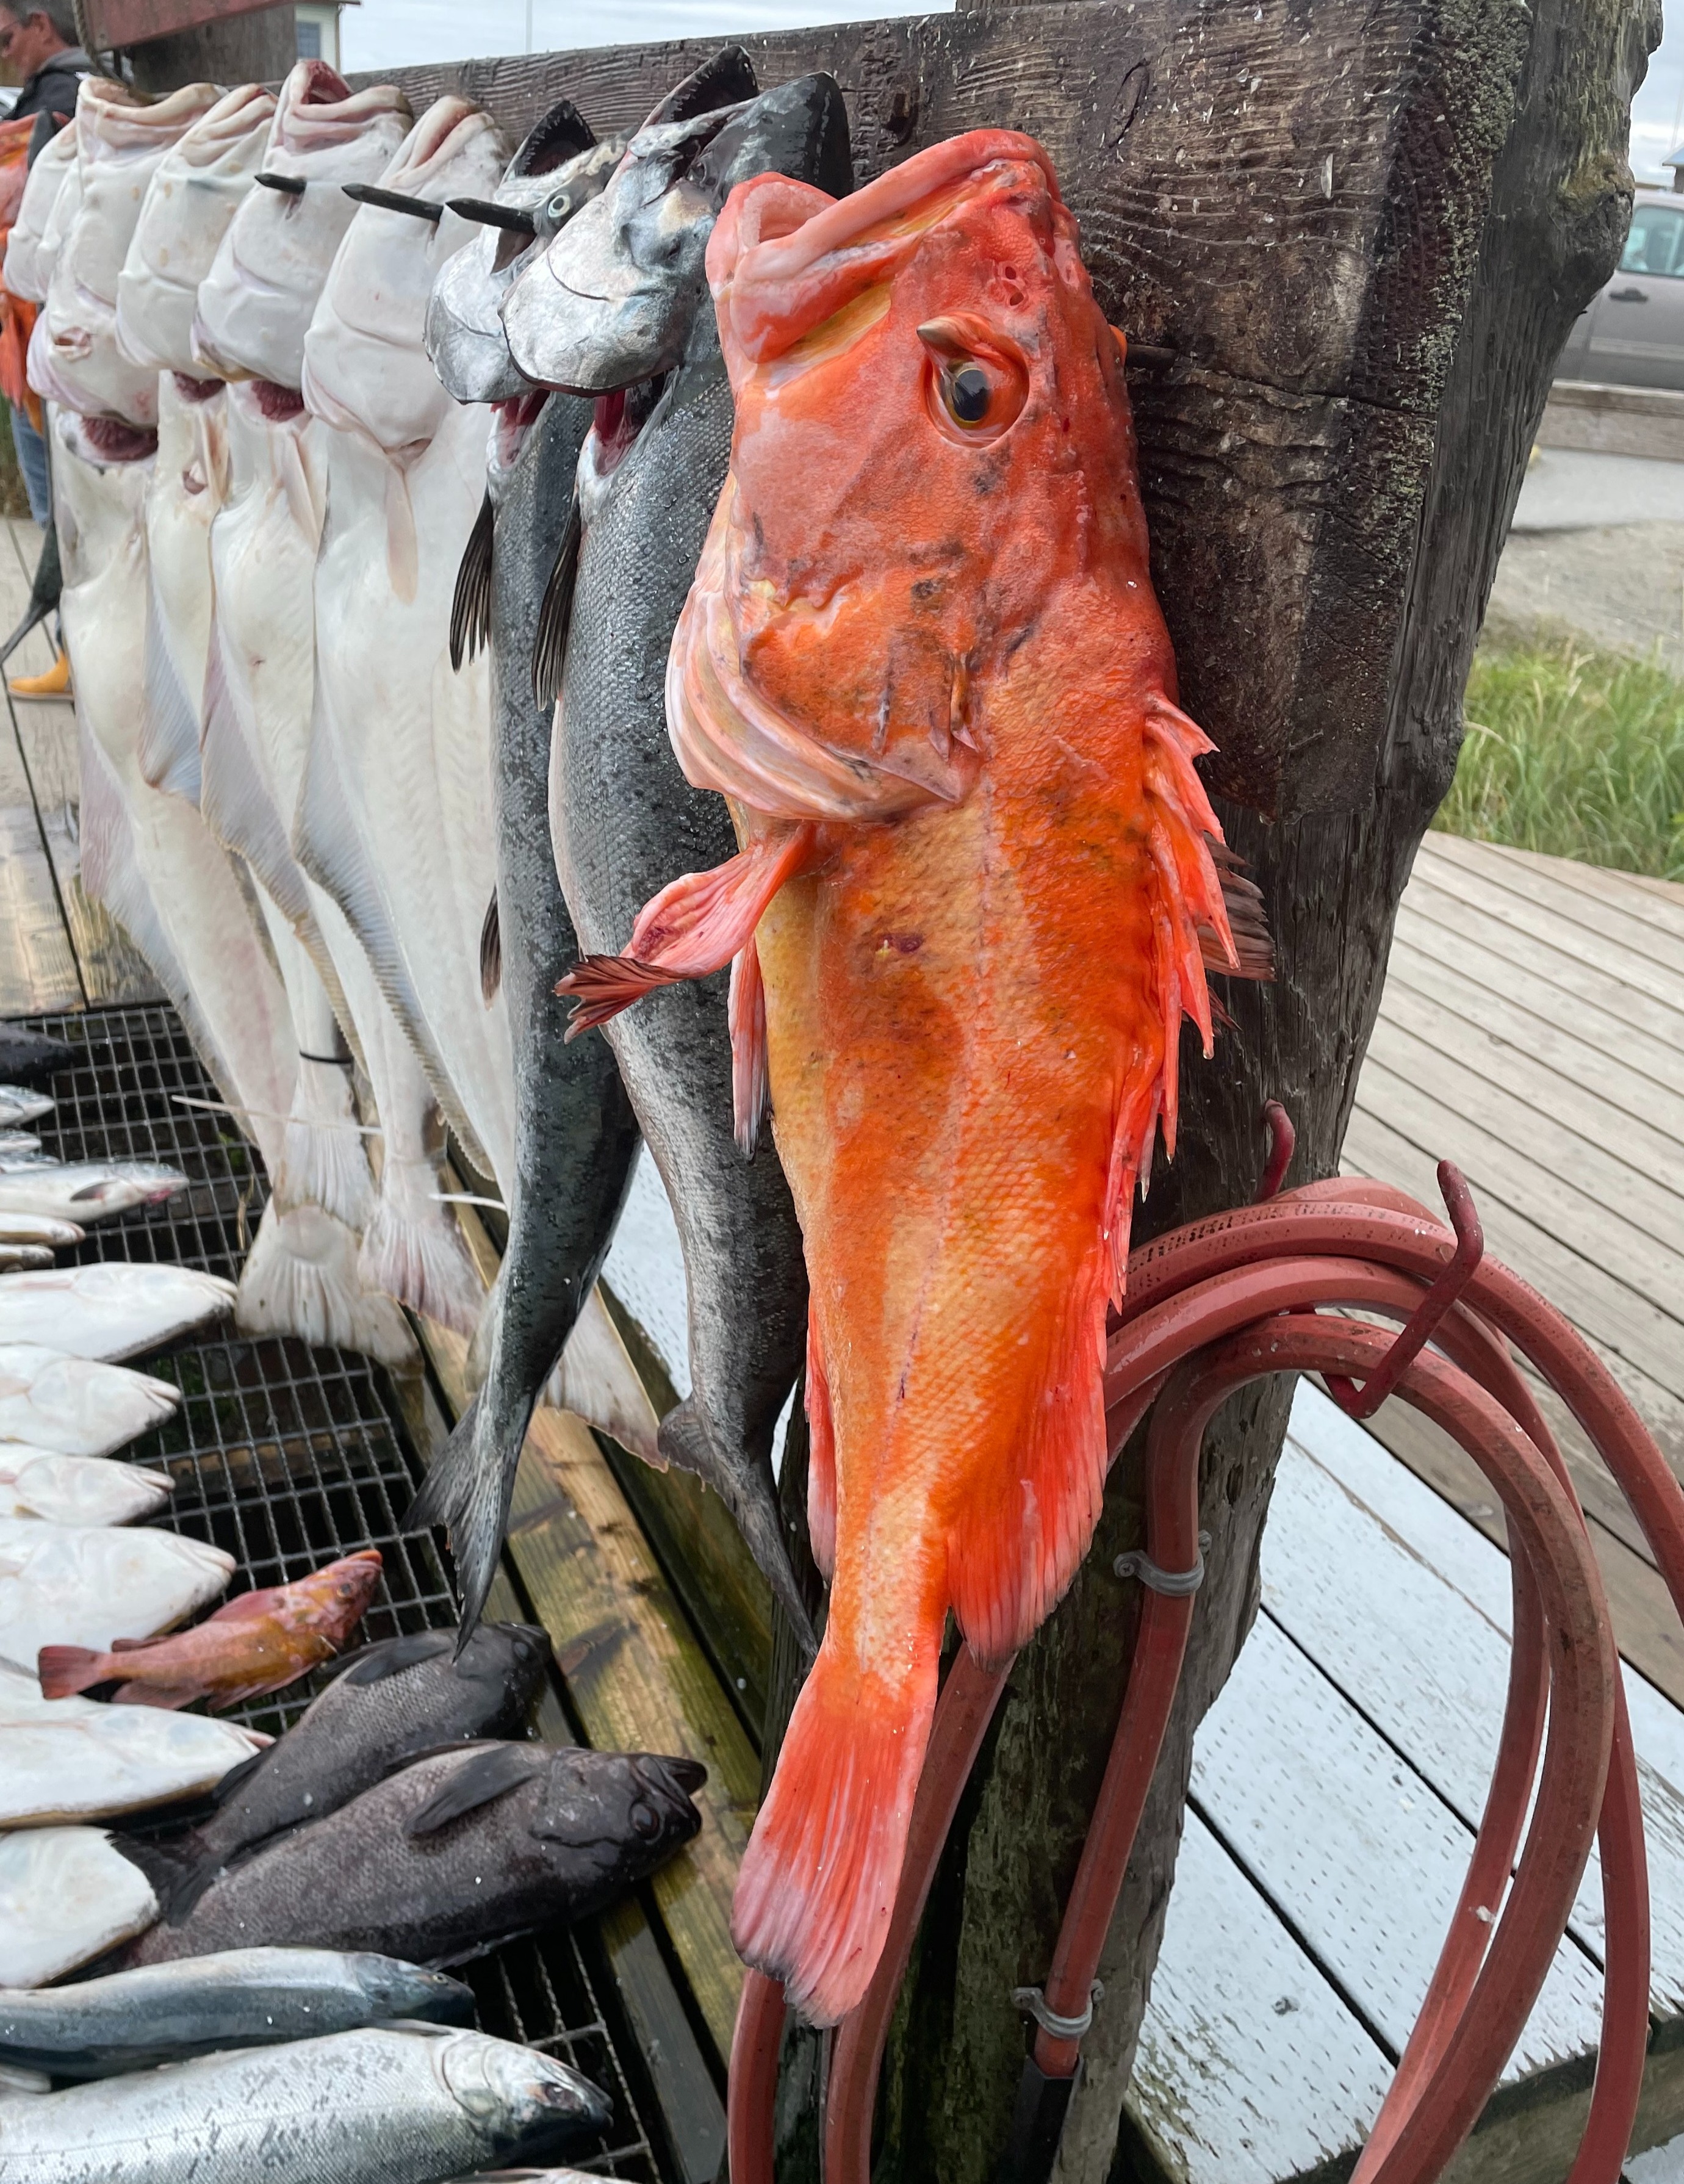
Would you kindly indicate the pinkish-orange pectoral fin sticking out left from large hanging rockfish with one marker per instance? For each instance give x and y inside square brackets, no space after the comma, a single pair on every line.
[691,929]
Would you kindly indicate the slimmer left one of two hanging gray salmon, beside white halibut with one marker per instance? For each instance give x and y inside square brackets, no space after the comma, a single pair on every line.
[576,1130]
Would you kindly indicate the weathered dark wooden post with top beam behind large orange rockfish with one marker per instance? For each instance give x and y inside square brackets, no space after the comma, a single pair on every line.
[1347,244]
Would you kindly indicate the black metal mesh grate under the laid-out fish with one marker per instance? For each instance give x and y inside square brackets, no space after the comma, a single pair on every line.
[289,1456]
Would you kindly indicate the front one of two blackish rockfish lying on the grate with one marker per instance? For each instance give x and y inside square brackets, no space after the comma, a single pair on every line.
[451,1857]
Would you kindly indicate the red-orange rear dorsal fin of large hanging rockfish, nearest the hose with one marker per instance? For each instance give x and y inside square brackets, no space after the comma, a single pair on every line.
[1015,1552]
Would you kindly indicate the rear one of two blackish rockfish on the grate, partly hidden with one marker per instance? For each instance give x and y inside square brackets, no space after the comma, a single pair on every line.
[388,1707]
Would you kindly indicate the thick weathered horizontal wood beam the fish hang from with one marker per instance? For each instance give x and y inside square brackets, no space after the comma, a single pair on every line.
[1279,209]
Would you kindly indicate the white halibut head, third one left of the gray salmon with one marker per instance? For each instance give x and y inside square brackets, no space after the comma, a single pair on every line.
[185,215]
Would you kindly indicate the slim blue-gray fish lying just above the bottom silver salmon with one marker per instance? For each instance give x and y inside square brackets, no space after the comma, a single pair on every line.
[246,1997]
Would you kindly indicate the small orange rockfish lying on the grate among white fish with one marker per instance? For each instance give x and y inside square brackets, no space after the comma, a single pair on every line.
[254,1643]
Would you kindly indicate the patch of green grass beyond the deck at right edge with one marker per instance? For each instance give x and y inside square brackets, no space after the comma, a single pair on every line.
[1574,752]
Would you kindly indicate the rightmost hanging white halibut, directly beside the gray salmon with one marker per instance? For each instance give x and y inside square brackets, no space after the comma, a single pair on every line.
[396,814]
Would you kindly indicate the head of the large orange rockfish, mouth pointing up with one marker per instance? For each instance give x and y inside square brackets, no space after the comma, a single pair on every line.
[934,462]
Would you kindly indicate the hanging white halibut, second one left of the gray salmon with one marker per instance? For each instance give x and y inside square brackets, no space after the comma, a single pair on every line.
[261,689]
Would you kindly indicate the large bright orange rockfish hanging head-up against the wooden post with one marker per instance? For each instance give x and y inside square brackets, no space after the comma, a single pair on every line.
[977,892]
